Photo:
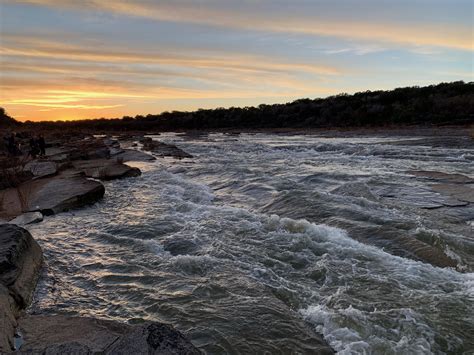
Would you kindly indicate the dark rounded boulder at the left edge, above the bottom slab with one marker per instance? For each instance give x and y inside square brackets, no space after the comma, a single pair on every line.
[20,262]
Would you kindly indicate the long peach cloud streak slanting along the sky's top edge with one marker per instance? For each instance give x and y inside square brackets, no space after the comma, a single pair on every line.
[250,16]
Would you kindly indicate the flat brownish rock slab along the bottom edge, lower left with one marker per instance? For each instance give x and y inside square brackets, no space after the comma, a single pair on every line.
[79,335]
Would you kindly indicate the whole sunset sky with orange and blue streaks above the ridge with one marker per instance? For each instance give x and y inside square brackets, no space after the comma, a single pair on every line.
[77,59]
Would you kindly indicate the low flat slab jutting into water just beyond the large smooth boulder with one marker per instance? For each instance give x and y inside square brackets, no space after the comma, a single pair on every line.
[105,169]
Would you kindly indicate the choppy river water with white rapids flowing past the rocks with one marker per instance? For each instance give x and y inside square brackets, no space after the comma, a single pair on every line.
[266,243]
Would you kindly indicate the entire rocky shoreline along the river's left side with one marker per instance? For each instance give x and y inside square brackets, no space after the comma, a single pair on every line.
[68,177]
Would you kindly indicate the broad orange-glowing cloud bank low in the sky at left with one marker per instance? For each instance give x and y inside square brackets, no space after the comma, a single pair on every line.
[55,74]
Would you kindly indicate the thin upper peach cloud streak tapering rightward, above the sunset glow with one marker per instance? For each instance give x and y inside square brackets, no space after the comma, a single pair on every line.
[32,46]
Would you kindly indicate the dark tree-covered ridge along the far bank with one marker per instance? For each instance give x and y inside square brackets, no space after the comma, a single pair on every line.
[442,104]
